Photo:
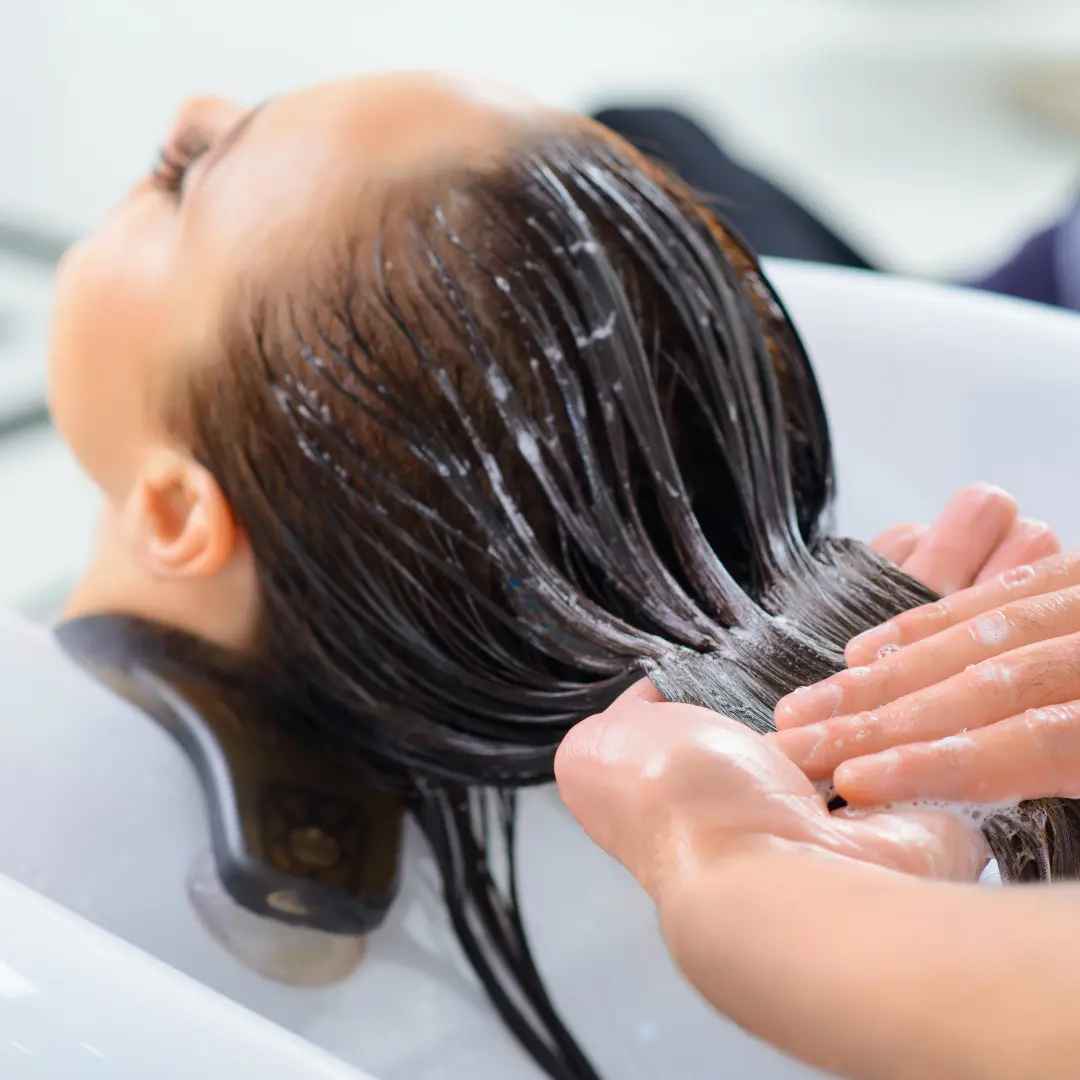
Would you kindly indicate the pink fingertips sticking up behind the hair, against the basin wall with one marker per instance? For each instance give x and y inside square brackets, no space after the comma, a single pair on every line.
[978,536]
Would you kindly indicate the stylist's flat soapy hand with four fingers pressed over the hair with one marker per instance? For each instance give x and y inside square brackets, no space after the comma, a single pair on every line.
[974,698]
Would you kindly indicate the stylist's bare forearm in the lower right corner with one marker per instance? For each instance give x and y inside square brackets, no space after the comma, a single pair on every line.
[873,975]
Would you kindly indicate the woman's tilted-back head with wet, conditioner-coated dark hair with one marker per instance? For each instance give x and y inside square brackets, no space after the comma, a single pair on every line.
[455,407]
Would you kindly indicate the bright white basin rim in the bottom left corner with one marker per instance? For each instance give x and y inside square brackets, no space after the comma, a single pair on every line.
[77,1004]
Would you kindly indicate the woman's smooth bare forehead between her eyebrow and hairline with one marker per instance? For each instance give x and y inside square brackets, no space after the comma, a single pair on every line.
[306,167]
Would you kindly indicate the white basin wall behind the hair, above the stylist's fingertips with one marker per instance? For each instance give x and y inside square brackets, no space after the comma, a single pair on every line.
[930,388]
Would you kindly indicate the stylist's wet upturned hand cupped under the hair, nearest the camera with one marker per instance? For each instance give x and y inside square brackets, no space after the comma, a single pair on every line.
[672,790]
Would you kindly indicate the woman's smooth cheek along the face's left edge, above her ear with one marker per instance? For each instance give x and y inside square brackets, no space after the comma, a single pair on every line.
[105,308]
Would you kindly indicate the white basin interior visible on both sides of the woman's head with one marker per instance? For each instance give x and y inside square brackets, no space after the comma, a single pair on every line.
[929,389]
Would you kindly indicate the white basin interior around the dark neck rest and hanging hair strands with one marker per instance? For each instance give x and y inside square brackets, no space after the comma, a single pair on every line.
[106,819]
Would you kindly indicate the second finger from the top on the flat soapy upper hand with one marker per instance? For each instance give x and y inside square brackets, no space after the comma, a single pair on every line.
[935,659]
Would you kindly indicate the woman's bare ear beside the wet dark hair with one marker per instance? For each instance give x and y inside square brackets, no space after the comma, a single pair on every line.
[177,522]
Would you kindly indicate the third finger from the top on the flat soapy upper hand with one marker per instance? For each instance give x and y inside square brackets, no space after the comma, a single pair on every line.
[1033,678]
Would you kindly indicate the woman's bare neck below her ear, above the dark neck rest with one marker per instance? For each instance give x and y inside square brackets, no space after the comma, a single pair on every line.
[219,610]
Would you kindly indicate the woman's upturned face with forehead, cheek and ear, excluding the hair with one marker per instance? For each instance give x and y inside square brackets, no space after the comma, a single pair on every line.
[246,207]
